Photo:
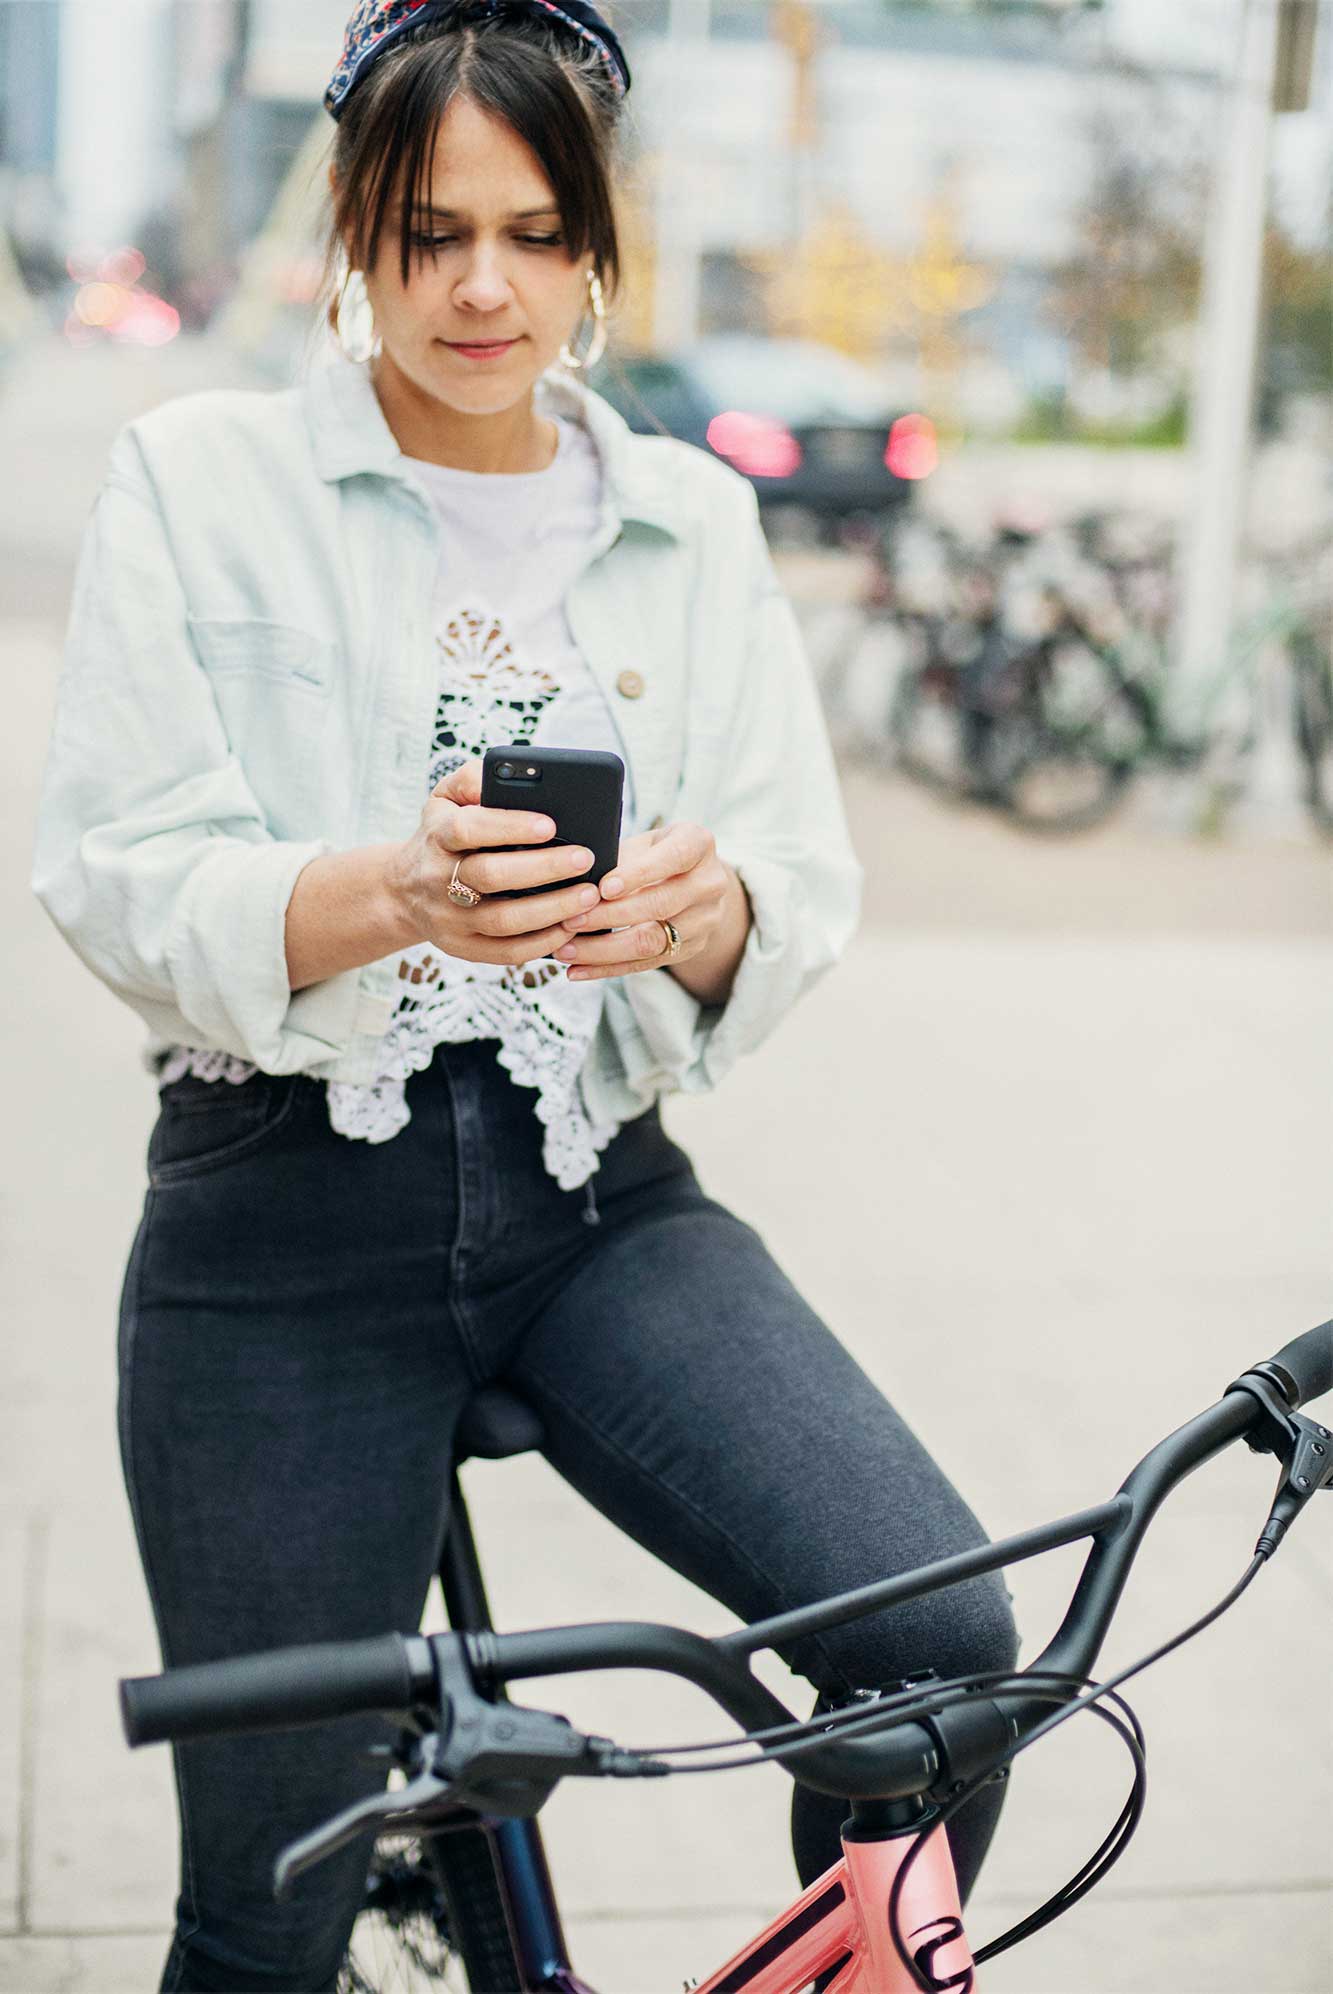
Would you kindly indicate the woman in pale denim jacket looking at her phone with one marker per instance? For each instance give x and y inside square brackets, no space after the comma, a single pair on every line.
[390,1098]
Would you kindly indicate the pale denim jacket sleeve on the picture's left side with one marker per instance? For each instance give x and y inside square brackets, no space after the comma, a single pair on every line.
[152,854]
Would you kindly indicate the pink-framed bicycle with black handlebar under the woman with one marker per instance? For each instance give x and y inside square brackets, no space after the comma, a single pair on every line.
[886,1917]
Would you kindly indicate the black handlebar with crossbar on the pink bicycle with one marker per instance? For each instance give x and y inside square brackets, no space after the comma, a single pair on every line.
[302,1686]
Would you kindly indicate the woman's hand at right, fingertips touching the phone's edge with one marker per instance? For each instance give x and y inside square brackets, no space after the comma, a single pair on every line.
[670,874]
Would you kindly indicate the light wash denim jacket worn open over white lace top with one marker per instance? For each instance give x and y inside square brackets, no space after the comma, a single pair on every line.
[250,681]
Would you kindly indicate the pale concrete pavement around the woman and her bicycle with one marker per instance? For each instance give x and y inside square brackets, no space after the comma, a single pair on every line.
[1051,1156]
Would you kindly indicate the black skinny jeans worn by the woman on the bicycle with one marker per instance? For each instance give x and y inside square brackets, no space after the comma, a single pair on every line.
[302,1323]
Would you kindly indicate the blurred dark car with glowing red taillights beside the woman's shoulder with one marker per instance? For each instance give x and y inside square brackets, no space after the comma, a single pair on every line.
[804,424]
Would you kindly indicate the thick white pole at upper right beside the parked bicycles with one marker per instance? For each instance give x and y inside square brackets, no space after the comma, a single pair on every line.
[1222,402]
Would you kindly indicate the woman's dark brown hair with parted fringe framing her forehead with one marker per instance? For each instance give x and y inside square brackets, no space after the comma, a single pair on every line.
[533,75]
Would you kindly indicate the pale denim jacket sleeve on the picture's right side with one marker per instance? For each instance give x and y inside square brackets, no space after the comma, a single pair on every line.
[760,775]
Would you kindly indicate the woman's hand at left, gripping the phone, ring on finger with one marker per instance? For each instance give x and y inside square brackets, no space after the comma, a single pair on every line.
[455,831]
